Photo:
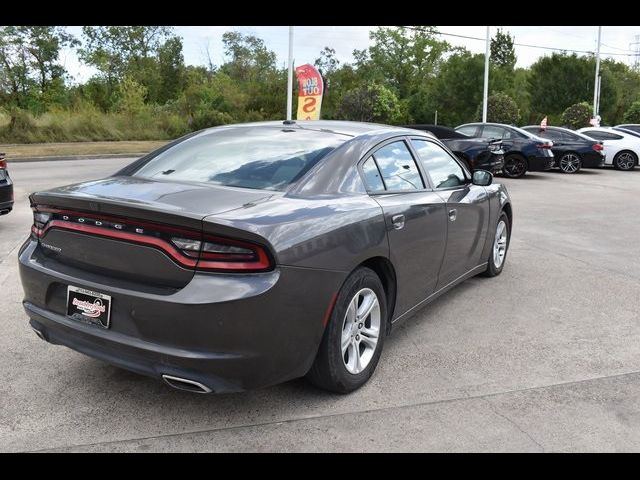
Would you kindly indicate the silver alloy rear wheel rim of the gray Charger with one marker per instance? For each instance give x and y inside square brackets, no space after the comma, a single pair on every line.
[360,330]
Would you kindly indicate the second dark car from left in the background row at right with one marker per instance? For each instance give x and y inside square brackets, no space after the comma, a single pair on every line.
[523,151]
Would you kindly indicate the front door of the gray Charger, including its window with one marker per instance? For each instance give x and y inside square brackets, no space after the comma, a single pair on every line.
[467,209]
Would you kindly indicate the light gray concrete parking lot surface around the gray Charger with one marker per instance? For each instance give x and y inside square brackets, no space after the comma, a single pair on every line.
[545,357]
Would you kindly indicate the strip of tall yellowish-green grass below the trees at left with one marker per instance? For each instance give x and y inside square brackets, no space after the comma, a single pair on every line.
[87,124]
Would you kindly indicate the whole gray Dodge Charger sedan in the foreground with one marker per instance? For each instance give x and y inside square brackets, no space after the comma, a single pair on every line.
[247,255]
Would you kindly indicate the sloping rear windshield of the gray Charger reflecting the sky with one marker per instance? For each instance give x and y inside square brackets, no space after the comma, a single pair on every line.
[249,157]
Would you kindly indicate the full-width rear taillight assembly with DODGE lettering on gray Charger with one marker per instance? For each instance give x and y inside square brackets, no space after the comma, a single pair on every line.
[188,248]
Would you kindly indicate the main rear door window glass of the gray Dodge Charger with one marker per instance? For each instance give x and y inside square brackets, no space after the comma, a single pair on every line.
[398,168]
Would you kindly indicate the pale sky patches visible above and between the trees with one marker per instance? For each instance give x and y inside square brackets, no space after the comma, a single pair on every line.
[309,41]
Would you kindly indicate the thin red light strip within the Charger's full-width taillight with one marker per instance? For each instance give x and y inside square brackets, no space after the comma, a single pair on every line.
[262,263]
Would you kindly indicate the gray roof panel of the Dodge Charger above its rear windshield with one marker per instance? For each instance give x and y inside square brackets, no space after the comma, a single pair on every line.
[339,127]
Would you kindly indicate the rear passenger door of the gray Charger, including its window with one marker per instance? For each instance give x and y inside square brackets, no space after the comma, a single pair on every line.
[415,219]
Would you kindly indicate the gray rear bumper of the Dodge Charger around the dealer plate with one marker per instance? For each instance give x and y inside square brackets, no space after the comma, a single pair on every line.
[228,333]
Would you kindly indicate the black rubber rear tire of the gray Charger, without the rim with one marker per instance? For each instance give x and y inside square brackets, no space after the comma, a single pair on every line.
[329,370]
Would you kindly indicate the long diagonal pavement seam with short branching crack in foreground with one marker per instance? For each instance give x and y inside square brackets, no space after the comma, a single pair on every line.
[372,410]
